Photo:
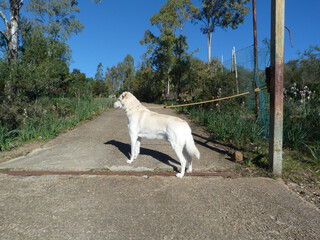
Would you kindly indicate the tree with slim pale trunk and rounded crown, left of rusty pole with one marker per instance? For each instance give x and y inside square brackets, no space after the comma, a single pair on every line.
[220,13]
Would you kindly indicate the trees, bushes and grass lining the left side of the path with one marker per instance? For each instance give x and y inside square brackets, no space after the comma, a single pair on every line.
[39,96]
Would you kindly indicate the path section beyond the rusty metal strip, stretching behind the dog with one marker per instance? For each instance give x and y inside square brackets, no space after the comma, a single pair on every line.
[104,143]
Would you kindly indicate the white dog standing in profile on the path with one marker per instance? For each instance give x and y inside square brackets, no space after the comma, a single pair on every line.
[143,123]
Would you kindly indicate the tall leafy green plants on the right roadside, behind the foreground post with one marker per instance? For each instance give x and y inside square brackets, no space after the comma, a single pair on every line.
[235,124]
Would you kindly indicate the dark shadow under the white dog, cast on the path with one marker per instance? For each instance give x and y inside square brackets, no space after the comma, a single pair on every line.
[126,150]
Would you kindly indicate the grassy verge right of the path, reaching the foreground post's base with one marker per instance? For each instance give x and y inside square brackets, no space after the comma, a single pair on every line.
[239,129]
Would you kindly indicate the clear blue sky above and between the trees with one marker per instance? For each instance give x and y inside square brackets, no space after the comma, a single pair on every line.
[114,29]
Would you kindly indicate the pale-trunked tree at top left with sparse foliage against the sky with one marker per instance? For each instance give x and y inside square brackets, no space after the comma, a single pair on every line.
[56,18]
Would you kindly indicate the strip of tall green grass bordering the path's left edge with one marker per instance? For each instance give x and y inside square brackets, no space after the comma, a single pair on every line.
[51,117]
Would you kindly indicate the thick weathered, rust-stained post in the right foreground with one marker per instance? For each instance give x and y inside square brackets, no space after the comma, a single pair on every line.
[276,86]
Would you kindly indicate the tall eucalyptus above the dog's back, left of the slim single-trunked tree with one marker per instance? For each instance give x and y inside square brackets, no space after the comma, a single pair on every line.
[171,45]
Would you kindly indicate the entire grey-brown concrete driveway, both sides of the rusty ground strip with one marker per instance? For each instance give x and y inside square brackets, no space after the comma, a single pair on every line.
[142,207]
